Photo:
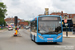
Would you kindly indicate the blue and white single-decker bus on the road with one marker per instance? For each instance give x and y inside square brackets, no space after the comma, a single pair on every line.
[47,28]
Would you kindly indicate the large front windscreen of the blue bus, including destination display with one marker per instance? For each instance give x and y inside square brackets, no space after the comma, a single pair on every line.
[52,26]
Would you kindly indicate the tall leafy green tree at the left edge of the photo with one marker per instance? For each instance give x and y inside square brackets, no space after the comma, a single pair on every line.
[3,11]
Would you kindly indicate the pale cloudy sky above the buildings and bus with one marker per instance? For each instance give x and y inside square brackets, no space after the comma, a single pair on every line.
[29,9]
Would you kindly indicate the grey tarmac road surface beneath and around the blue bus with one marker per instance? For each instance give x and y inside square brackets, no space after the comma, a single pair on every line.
[8,42]
